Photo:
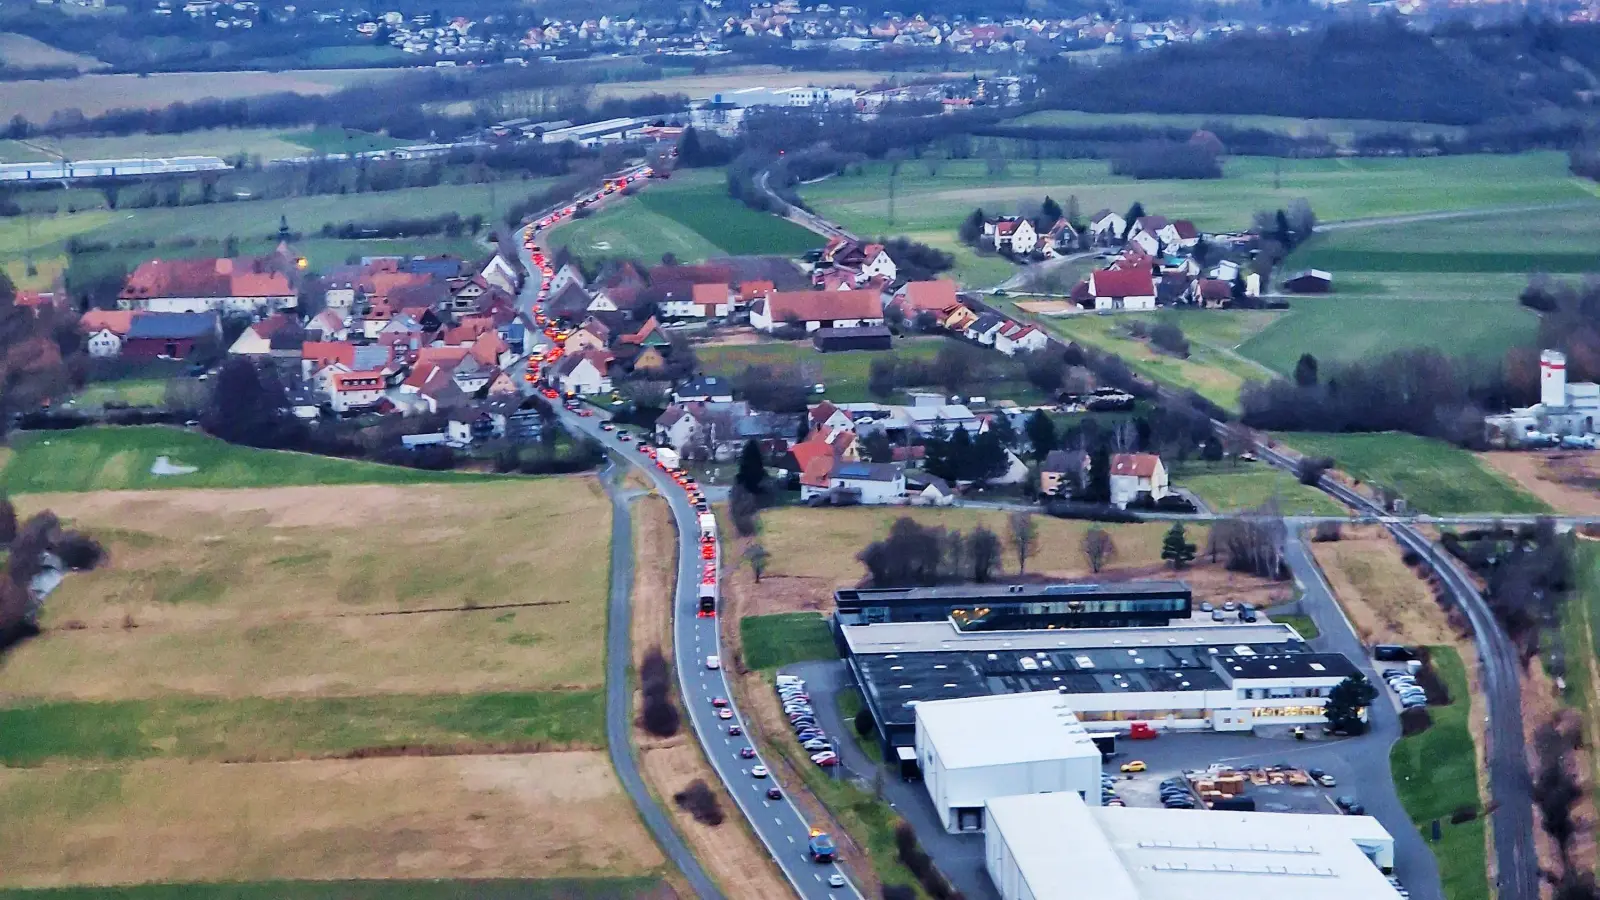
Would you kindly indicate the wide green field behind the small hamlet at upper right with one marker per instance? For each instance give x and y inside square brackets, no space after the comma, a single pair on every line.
[1337,190]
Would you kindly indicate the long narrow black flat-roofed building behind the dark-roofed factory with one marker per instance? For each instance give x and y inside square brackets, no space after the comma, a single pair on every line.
[1010,608]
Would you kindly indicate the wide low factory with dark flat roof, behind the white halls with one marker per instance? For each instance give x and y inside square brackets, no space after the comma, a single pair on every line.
[1170,678]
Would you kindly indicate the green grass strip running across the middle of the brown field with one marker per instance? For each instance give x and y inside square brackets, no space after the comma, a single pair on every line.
[265,729]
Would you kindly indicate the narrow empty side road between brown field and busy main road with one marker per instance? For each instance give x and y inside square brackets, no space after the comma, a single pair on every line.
[620,694]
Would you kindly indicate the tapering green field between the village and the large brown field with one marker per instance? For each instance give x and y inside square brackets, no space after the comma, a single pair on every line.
[119,459]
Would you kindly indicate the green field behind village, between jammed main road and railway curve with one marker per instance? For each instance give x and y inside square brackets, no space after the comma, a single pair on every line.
[690,217]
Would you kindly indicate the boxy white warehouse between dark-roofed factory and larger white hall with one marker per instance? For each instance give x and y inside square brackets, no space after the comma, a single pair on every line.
[980,749]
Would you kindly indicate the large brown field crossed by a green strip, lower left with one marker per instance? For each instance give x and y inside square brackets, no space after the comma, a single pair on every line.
[274,694]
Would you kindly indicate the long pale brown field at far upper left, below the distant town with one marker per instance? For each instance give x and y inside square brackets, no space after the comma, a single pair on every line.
[94,95]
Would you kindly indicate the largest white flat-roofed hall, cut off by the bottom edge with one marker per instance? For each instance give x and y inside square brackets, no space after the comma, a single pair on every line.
[1058,848]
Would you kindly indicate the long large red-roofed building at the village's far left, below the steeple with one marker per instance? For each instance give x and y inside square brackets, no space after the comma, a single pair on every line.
[201,286]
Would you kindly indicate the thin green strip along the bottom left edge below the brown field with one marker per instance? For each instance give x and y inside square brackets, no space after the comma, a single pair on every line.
[460,890]
